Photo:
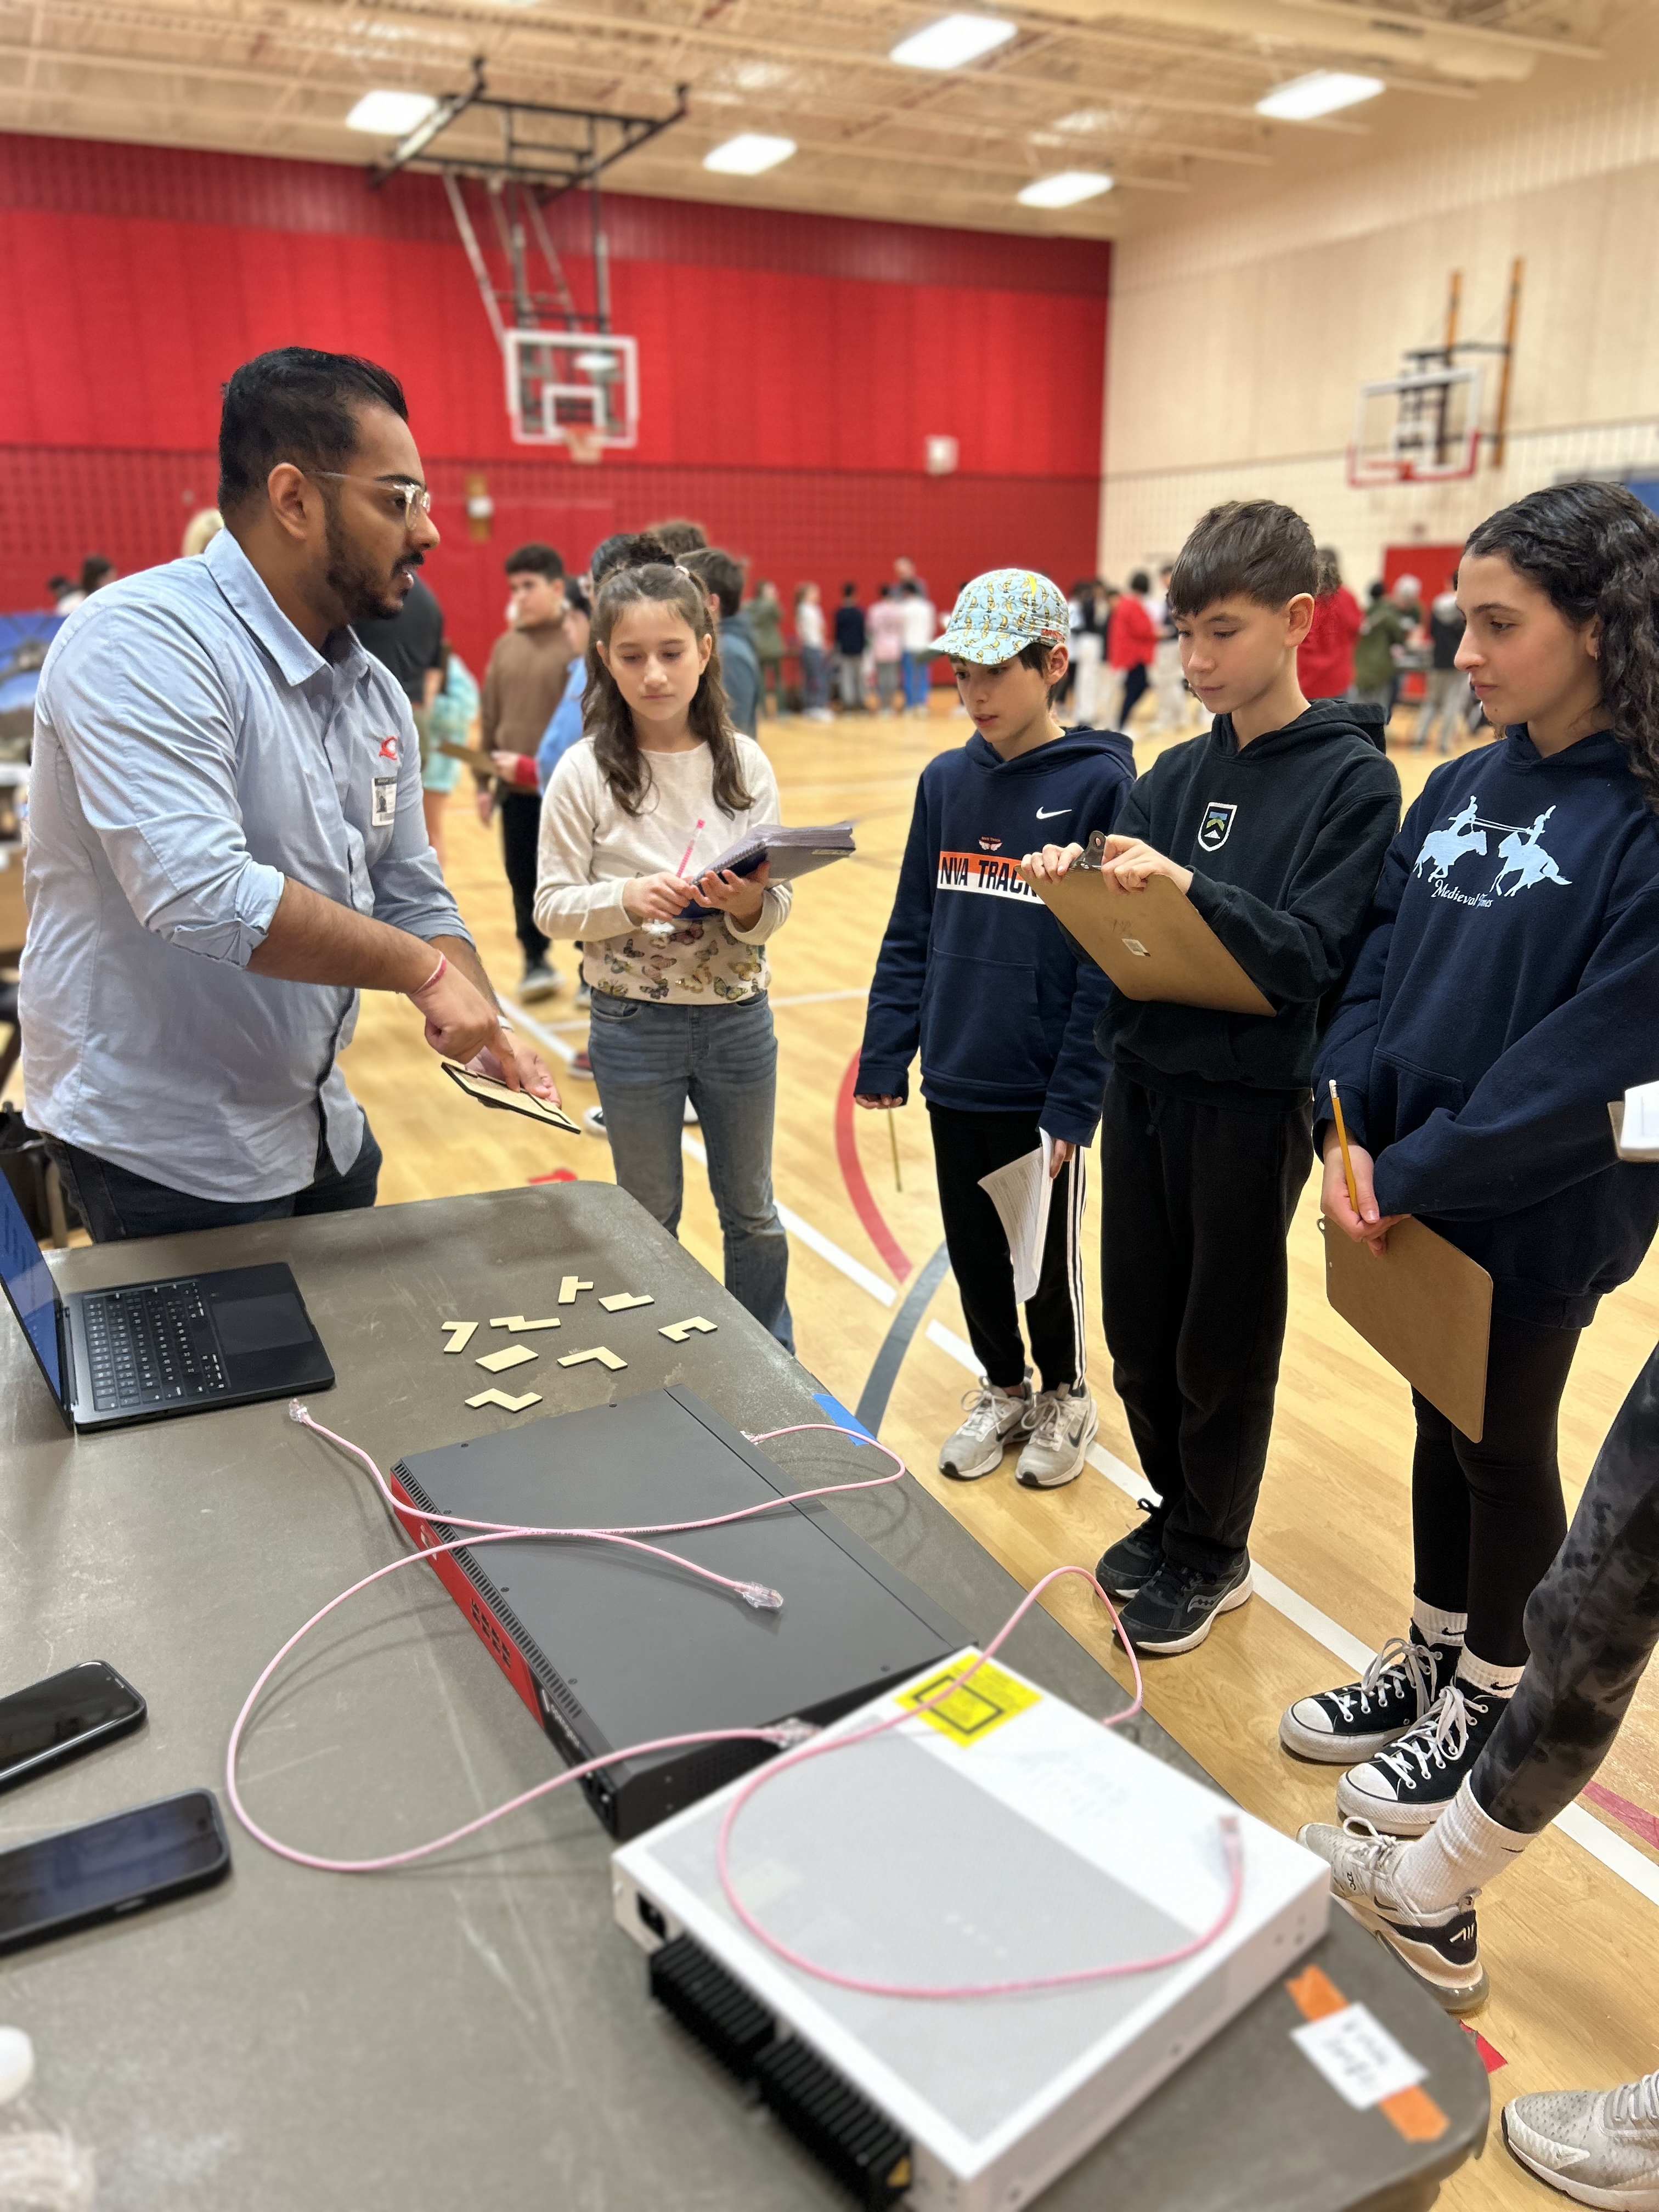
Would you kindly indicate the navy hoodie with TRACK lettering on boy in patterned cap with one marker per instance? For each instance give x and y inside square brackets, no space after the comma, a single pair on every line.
[974,968]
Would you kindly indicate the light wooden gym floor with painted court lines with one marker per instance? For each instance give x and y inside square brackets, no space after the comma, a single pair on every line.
[1572,1937]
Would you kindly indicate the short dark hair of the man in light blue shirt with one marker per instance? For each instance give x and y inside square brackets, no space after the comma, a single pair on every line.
[295,406]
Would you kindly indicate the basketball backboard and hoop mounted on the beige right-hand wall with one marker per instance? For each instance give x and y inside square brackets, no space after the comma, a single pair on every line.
[1437,432]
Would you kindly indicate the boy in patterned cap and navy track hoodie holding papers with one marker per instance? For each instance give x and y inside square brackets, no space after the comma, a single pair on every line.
[977,970]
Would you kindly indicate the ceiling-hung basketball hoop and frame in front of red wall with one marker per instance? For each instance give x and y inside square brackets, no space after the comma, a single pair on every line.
[572,379]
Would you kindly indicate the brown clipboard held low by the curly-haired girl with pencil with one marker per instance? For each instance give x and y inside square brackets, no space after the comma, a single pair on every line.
[1426,1306]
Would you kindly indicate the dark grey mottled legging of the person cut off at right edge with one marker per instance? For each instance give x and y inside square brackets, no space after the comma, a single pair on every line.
[1592,1627]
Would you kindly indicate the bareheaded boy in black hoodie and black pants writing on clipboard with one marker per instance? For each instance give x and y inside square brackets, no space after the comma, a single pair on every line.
[1275,826]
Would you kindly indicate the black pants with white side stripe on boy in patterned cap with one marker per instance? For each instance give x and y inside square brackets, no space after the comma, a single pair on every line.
[968,1147]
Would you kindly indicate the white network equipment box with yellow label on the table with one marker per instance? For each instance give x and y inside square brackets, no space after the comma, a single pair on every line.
[999,1839]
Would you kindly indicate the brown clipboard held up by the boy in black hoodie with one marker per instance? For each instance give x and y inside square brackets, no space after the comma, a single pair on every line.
[1154,943]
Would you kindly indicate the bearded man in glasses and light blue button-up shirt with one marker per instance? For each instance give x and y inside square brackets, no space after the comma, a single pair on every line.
[227,835]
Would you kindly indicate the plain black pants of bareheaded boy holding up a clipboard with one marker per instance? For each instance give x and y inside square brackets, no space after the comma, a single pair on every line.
[1196,1211]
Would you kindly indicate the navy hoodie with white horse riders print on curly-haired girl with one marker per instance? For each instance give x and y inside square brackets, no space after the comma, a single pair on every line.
[1507,990]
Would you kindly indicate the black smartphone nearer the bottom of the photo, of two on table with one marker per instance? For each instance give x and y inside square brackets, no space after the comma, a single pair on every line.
[107,1868]
